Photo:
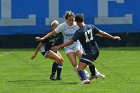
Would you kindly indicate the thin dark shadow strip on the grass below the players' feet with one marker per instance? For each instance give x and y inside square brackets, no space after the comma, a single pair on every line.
[42,82]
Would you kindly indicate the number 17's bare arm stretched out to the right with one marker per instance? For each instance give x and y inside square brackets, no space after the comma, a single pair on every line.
[104,34]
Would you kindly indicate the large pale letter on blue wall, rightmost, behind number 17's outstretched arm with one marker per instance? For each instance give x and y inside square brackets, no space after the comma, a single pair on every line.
[103,17]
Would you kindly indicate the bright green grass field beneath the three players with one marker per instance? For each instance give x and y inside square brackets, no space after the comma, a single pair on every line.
[19,74]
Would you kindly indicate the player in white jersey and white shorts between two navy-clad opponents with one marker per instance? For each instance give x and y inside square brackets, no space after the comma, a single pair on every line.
[68,29]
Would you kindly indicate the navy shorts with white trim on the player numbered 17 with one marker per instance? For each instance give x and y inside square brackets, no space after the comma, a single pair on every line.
[89,58]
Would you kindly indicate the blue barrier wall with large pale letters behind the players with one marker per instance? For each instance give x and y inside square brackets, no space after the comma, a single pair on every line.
[33,16]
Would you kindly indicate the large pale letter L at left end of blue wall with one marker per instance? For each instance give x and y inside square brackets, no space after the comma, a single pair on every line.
[7,20]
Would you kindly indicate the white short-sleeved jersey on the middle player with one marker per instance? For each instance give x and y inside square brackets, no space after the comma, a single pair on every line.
[68,32]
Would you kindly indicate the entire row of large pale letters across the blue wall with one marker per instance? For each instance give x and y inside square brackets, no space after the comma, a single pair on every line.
[103,18]
